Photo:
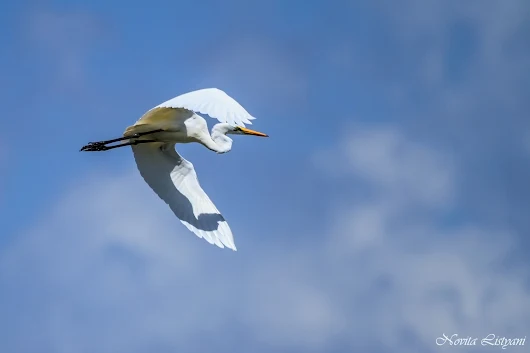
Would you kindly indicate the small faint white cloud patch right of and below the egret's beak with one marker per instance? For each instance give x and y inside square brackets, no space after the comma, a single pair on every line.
[398,166]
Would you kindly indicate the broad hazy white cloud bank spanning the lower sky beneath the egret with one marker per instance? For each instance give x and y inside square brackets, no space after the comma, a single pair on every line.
[104,271]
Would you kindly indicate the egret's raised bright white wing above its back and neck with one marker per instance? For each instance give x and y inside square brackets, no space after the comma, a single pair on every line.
[214,102]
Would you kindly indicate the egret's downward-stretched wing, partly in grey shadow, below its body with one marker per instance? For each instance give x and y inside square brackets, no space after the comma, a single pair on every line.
[174,179]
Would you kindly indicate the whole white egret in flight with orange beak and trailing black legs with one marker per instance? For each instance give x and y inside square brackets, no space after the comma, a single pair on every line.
[172,177]
